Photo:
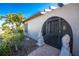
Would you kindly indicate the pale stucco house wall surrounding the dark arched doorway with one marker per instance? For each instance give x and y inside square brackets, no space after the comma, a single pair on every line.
[69,12]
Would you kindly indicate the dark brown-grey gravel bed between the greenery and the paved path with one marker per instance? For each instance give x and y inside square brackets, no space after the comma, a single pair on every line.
[28,46]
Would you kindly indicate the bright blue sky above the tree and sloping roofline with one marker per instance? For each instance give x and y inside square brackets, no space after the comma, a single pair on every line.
[27,9]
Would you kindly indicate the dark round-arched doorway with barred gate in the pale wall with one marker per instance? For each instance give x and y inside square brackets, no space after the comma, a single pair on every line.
[53,30]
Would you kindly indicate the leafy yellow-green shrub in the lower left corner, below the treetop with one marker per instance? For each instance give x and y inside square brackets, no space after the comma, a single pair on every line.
[12,38]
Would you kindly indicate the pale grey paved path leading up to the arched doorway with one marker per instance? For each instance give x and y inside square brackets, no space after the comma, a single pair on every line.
[45,50]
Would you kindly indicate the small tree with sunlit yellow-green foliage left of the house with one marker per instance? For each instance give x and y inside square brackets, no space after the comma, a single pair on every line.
[13,29]
